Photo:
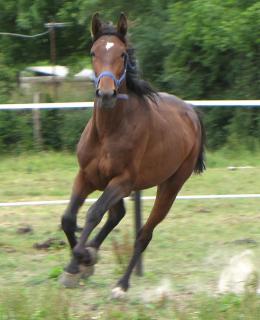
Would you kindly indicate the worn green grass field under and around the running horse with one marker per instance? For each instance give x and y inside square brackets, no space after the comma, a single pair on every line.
[188,251]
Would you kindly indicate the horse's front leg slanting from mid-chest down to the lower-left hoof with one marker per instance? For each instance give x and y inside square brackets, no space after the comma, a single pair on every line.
[117,189]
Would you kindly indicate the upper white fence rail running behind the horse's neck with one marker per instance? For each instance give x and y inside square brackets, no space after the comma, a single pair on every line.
[77,105]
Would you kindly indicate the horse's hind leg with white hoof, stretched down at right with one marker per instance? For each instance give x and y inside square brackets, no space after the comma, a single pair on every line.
[166,194]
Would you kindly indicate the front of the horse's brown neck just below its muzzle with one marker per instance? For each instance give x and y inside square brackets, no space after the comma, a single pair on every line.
[107,121]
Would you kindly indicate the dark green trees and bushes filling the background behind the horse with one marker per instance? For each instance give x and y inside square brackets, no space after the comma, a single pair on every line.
[195,49]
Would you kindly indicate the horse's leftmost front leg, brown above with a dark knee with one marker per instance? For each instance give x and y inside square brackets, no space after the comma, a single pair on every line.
[69,219]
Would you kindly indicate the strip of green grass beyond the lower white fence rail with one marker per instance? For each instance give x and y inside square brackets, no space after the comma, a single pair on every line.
[50,176]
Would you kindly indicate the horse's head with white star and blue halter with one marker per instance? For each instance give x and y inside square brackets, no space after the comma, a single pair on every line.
[109,59]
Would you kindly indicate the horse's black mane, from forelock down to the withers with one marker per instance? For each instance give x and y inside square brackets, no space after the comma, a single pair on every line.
[134,83]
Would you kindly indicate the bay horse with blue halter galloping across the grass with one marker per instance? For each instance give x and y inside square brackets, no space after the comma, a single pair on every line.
[137,138]
